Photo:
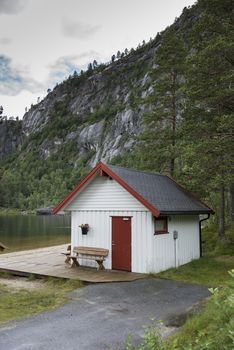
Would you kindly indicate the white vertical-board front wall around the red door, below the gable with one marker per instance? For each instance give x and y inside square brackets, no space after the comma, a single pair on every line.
[100,235]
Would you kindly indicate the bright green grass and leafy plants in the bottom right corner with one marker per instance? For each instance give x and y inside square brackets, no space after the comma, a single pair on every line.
[210,329]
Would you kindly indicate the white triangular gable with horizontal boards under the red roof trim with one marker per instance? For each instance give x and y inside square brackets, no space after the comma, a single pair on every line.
[104,194]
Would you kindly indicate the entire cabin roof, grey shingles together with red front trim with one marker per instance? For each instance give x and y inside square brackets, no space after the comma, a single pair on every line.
[157,198]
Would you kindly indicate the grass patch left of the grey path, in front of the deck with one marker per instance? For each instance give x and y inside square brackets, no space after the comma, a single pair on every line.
[15,304]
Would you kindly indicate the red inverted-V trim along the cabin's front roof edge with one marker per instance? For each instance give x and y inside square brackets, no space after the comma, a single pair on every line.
[103,167]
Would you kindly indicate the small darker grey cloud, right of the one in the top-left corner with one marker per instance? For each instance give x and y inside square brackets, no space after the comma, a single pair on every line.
[79,30]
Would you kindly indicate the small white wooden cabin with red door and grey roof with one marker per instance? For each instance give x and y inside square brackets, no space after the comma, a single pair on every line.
[148,222]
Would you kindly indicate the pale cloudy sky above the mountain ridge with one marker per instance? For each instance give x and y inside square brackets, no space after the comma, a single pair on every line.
[43,41]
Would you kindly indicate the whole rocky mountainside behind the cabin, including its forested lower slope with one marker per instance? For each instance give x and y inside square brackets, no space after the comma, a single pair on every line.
[91,116]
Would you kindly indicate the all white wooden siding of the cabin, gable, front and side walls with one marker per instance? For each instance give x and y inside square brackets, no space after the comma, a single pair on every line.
[103,198]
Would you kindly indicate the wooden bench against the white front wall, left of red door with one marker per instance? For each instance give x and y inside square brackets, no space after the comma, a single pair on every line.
[91,253]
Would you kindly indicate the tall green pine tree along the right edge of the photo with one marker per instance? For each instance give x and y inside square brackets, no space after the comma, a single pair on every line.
[209,117]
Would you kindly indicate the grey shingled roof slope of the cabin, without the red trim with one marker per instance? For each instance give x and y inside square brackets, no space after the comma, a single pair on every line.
[161,192]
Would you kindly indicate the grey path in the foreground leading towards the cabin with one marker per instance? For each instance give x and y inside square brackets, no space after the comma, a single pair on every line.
[101,316]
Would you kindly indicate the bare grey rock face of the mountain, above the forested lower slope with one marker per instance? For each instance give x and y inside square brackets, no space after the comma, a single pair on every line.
[100,117]
